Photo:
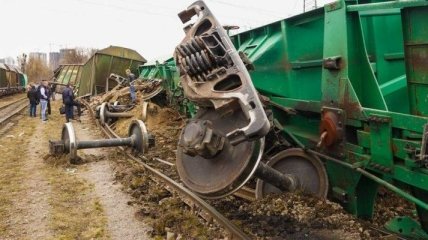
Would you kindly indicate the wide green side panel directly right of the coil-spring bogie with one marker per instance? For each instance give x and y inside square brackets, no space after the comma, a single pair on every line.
[287,56]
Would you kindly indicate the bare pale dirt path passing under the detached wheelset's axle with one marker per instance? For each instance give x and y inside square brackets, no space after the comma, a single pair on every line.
[121,219]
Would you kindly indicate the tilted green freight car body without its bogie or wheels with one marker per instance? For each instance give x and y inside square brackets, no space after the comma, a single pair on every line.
[370,61]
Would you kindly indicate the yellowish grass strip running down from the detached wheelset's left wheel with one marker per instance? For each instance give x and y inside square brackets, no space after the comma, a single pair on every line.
[76,213]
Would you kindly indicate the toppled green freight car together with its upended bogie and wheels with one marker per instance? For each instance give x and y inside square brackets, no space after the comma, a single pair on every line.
[336,105]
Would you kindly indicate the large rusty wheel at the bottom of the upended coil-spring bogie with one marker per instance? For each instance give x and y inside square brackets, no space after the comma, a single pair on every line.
[221,175]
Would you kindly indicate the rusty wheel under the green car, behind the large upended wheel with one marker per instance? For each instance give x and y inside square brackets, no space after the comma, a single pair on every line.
[308,169]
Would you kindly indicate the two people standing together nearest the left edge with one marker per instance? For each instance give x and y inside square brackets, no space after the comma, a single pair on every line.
[42,94]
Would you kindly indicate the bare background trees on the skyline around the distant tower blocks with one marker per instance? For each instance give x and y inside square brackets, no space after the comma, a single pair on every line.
[37,70]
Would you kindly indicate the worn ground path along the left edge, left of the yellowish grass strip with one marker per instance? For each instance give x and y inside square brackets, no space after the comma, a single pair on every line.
[28,206]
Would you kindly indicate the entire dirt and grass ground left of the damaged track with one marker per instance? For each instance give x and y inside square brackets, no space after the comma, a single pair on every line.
[46,198]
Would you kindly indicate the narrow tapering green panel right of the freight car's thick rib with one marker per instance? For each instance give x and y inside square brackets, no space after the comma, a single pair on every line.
[384,44]
